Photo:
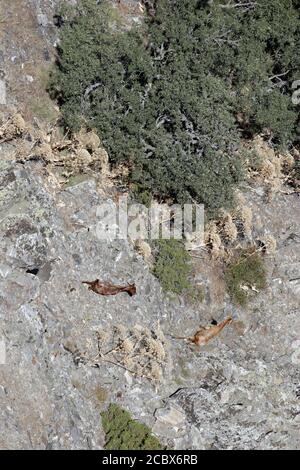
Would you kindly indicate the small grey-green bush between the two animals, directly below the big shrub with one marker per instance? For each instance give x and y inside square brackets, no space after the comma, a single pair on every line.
[172,265]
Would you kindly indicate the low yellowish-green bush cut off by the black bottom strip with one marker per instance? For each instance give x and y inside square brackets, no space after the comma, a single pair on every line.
[125,433]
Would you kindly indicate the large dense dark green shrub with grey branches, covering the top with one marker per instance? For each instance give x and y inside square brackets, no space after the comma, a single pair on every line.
[165,96]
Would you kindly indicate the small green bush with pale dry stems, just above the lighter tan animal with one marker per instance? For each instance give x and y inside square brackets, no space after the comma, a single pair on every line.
[245,276]
